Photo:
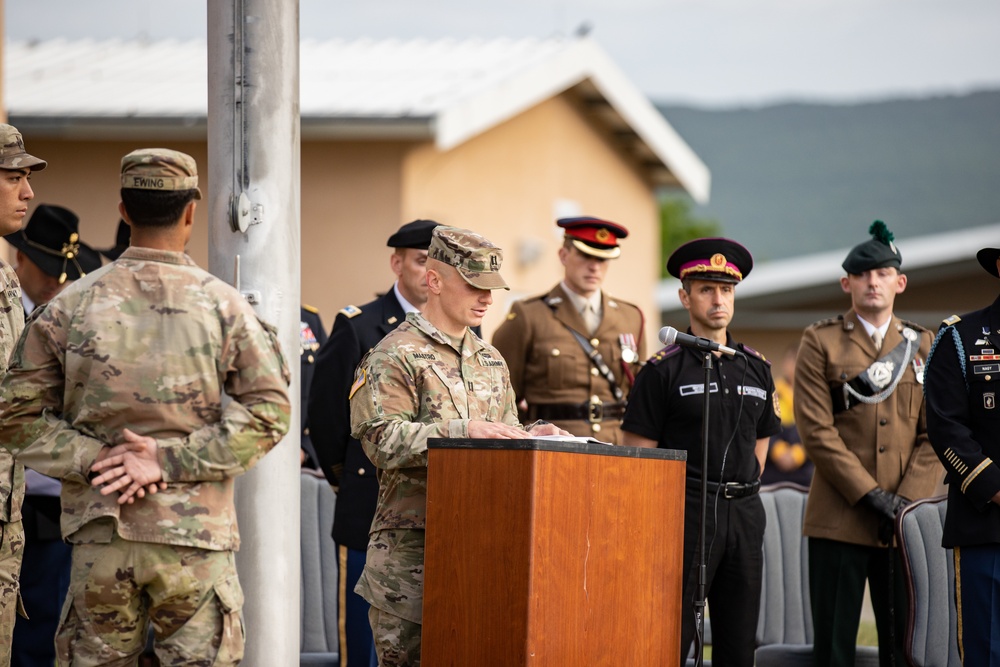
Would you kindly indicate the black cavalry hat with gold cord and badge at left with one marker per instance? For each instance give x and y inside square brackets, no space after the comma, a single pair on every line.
[51,240]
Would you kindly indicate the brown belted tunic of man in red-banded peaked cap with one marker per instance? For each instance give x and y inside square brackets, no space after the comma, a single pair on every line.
[552,373]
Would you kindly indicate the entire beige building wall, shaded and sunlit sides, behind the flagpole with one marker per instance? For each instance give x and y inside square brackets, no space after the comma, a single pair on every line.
[510,183]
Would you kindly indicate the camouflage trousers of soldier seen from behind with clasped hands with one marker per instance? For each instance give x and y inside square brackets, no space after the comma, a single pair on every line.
[191,596]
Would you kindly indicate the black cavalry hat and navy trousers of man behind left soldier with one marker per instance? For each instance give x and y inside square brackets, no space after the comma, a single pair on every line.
[50,240]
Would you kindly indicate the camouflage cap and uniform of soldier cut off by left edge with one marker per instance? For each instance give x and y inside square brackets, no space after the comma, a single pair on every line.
[12,157]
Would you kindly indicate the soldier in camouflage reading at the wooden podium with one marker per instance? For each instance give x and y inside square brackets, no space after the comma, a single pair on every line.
[432,377]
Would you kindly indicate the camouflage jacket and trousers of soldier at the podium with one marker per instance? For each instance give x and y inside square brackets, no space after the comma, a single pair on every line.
[417,383]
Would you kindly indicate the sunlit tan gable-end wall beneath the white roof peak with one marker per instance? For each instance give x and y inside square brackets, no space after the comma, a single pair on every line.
[512,182]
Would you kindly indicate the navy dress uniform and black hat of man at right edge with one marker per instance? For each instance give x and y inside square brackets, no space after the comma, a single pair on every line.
[962,387]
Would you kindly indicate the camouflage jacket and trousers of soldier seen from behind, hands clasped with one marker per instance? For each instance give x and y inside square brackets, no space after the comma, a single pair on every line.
[148,343]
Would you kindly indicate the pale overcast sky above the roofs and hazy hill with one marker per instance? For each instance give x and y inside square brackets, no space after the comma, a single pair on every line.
[707,52]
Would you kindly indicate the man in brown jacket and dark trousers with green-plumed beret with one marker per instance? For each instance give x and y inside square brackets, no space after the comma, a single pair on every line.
[859,410]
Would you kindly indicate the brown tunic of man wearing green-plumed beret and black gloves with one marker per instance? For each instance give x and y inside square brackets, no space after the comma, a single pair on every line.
[883,444]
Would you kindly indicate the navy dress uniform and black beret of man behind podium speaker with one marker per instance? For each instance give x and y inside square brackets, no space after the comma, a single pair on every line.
[342,459]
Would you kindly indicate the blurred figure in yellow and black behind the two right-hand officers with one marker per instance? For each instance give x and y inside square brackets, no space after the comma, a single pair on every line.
[786,457]
